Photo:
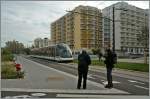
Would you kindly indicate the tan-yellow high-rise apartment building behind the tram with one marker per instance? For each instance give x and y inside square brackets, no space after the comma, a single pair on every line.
[79,28]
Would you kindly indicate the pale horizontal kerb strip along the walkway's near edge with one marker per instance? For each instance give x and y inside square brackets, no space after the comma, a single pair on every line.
[104,91]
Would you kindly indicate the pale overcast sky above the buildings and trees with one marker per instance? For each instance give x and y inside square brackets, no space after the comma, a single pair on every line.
[26,20]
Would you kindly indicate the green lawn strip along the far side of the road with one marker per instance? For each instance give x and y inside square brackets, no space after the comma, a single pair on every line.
[124,65]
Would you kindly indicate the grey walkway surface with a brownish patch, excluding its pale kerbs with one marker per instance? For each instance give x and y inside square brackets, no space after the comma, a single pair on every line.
[38,76]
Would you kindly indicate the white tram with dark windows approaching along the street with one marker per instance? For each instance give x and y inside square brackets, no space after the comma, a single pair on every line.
[59,52]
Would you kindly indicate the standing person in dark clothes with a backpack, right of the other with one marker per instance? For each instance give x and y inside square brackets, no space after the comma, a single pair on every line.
[110,60]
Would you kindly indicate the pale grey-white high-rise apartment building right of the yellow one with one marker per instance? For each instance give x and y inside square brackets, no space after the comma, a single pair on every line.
[129,20]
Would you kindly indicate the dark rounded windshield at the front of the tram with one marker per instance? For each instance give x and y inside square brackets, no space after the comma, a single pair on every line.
[63,52]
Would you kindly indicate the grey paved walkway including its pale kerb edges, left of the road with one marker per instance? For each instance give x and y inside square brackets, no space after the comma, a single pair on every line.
[48,79]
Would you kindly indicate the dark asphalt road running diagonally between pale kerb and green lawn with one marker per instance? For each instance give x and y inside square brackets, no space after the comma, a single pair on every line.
[132,86]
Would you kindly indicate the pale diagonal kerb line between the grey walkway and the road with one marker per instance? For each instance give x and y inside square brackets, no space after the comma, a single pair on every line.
[73,76]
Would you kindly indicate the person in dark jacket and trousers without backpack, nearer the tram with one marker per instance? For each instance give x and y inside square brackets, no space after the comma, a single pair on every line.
[83,62]
